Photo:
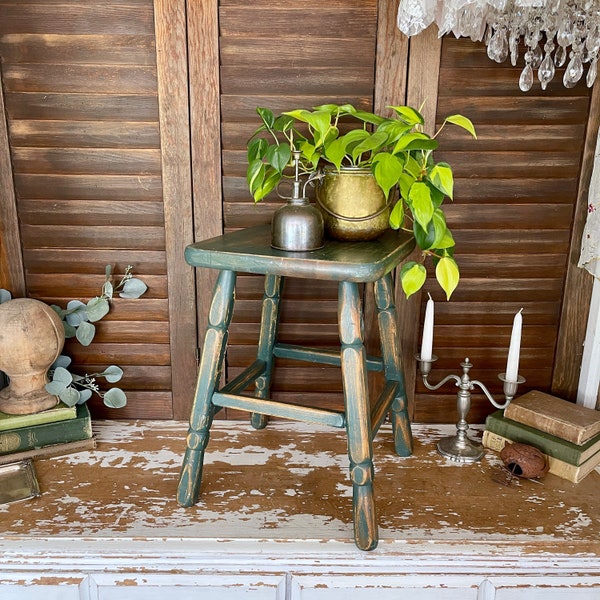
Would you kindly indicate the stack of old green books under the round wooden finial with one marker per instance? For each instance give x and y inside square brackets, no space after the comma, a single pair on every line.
[54,432]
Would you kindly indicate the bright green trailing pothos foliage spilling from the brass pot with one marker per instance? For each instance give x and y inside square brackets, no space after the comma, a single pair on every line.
[397,151]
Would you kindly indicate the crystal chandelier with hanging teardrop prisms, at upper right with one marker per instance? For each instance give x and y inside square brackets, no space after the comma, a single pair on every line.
[553,32]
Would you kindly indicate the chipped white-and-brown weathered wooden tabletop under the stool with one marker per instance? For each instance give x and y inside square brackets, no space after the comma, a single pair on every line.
[290,482]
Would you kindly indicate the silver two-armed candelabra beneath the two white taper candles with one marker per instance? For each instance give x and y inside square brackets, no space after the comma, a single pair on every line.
[460,448]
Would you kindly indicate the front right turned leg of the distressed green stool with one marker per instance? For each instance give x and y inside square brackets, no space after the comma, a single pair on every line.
[358,421]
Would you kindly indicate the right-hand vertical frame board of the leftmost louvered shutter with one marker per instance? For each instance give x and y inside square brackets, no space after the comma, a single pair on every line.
[171,43]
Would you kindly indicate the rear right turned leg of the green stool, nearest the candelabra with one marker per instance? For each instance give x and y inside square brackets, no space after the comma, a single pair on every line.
[392,360]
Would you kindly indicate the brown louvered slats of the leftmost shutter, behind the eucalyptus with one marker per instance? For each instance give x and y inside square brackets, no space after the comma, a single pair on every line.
[82,109]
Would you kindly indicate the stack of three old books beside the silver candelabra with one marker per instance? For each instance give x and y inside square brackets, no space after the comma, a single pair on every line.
[568,434]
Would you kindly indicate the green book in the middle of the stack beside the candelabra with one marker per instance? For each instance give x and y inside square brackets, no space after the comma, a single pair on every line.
[549,444]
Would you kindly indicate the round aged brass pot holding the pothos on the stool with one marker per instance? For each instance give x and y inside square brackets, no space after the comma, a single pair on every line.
[354,207]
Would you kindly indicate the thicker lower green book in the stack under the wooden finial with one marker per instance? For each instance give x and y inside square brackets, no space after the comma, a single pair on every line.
[47,434]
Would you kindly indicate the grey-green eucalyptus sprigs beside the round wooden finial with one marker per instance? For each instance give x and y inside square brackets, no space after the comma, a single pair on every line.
[78,320]
